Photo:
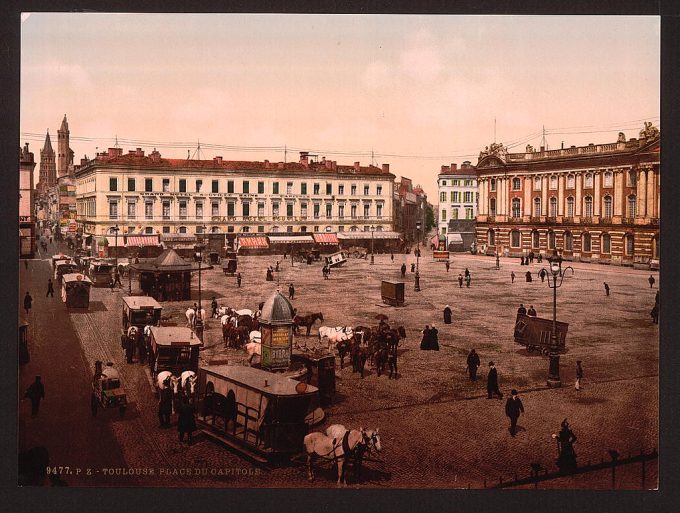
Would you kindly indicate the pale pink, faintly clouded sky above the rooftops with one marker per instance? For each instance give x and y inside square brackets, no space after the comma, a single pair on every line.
[416,92]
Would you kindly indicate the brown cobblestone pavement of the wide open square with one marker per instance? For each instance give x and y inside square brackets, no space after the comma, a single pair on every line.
[438,429]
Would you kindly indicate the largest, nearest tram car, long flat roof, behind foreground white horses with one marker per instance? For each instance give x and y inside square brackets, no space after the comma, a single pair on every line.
[258,413]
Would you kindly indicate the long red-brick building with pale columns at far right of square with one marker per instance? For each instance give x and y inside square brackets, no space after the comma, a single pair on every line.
[594,203]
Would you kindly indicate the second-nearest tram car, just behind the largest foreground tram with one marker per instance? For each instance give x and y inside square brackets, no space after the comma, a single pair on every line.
[174,349]
